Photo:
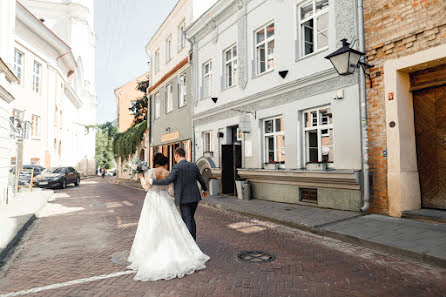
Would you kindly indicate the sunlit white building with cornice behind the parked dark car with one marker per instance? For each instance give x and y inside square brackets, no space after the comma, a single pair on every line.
[55,93]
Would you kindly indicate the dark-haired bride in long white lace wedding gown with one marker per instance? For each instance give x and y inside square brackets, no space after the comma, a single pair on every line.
[163,247]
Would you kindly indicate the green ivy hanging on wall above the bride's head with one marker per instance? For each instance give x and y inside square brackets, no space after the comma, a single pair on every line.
[126,143]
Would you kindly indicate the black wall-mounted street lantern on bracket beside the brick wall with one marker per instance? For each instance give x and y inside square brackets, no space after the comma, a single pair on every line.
[345,60]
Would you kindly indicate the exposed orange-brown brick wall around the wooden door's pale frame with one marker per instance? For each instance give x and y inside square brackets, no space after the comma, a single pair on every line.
[394,29]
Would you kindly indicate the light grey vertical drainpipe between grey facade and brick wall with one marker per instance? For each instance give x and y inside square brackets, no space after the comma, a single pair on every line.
[364,132]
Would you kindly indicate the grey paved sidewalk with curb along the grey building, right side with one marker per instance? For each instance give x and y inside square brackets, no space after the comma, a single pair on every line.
[424,241]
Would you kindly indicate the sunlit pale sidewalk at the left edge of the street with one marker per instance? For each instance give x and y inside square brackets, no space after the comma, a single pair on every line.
[18,215]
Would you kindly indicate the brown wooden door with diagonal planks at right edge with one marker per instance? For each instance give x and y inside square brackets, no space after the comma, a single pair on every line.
[430,131]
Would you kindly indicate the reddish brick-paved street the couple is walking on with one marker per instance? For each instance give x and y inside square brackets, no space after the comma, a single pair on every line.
[80,231]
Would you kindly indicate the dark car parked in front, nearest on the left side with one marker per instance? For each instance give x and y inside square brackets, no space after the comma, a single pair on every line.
[58,177]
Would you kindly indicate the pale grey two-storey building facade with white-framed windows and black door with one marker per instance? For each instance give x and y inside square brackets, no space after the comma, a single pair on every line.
[267,102]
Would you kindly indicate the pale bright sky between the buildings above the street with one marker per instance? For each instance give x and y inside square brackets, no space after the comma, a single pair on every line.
[123,29]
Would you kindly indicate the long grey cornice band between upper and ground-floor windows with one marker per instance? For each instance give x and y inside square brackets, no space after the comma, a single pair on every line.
[302,88]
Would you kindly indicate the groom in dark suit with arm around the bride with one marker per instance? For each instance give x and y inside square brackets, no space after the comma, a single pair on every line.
[185,175]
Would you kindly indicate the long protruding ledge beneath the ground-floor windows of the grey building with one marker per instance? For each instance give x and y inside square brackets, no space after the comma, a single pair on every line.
[337,179]
